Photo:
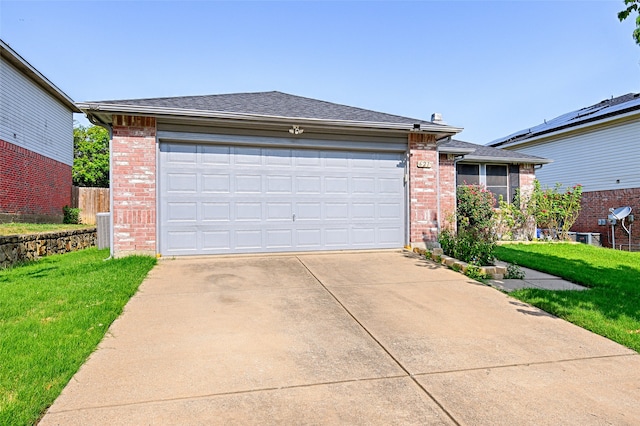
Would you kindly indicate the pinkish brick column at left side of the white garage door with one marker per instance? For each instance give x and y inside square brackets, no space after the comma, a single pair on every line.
[133,185]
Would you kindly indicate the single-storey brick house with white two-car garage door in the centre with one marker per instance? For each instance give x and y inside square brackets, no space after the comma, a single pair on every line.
[272,172]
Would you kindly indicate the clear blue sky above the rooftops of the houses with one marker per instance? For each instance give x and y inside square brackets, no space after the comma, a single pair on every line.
[492,67]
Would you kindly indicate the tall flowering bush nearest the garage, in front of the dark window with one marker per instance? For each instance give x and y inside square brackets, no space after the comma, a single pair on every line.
[474,240]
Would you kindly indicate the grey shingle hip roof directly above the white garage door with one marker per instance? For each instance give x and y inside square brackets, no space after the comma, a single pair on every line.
[270,104]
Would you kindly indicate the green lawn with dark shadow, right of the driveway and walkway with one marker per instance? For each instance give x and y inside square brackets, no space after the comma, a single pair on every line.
[611,307]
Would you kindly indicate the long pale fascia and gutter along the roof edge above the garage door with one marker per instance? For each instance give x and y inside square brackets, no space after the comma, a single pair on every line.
[89,107]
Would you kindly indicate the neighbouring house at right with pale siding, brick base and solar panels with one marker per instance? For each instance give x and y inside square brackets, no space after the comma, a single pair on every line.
[597,147]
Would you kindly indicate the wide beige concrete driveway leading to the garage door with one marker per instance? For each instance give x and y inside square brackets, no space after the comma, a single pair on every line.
[350,338]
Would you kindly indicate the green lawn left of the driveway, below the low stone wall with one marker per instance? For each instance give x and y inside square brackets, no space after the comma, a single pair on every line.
[53,313]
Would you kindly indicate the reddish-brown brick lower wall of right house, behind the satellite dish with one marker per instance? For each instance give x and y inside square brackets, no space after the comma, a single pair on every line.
[596,204]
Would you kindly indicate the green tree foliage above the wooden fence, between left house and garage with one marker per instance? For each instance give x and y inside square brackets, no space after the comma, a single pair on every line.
[90,156]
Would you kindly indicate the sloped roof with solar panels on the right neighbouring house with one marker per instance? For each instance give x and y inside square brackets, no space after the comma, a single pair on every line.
[604,109]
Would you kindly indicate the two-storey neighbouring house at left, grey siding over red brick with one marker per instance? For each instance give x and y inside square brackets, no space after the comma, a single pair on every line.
[36,143]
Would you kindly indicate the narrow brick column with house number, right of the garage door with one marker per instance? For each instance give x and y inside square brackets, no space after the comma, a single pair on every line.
[423,203]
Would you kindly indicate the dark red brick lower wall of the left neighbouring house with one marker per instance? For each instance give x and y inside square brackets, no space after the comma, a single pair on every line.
[32,186]
